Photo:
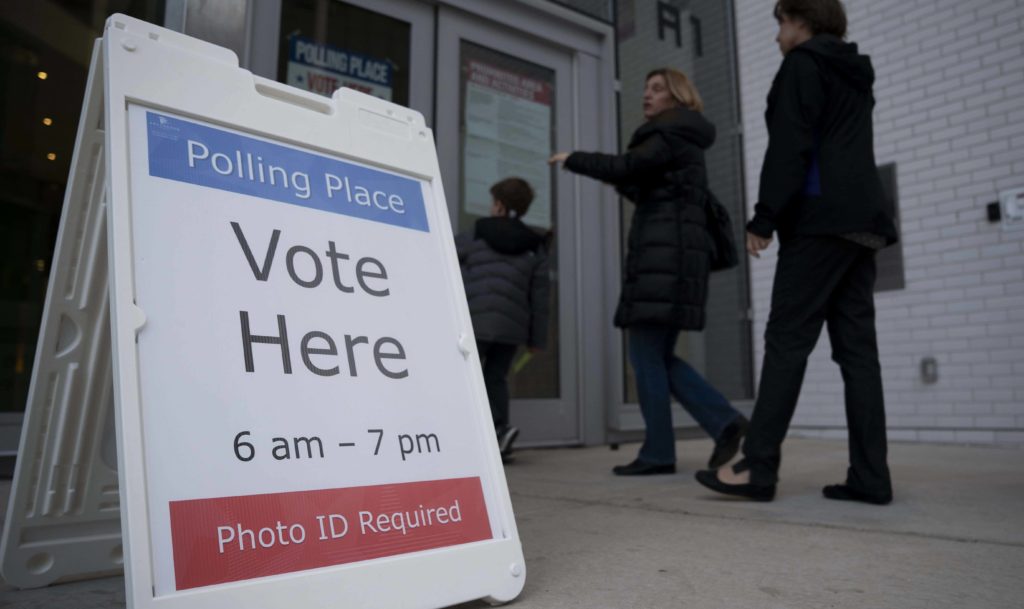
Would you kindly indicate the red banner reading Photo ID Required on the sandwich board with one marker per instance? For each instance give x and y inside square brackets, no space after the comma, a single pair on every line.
[240,538]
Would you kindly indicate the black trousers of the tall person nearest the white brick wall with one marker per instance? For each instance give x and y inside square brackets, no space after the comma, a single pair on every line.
[822,281]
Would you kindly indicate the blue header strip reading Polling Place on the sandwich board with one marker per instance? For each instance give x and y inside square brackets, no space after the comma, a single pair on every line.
[196,154]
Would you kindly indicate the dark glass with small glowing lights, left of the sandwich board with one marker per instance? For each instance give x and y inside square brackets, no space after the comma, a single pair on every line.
[46,51]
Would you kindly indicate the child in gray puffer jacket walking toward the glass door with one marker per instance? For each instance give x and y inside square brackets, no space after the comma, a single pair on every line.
[505,272]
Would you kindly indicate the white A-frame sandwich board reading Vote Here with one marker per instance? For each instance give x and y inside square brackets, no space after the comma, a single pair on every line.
[263,284]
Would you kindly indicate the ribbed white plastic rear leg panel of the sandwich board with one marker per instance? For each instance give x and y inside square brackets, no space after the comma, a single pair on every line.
[64,517]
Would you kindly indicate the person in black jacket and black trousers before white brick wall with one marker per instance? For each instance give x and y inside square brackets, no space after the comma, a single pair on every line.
[822,194]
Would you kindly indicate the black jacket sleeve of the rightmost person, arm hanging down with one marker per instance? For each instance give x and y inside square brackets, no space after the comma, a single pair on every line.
[795,104]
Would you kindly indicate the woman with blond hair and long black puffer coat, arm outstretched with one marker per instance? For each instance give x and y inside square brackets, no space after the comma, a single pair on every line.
[665,288]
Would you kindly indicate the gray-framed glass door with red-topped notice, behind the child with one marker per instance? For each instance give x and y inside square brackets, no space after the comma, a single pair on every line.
[503,108]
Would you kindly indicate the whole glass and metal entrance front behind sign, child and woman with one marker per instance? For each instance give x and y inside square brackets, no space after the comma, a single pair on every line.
[503,84]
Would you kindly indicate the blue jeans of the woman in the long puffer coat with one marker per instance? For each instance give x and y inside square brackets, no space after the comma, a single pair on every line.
[660,372]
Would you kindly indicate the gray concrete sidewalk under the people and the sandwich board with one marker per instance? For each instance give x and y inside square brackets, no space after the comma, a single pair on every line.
[954,537]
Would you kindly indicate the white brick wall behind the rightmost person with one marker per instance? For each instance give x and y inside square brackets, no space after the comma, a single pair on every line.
[951,115]
